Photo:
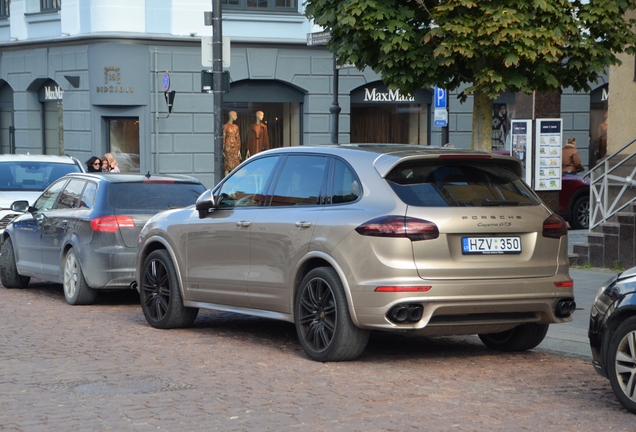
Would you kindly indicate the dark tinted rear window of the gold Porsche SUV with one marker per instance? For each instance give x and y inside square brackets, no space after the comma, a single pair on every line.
[459,185]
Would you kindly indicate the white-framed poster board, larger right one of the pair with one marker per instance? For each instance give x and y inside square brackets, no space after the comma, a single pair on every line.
[549,137]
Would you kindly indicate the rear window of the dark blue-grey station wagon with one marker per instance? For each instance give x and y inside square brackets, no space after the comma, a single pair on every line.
[153,196]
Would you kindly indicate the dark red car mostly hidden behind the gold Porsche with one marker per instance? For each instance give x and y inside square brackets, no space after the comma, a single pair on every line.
[574,198]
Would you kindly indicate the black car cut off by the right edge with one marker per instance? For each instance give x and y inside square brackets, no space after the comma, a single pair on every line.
[613,335]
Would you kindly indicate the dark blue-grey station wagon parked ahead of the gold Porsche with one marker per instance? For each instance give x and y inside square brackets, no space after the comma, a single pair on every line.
[83,230]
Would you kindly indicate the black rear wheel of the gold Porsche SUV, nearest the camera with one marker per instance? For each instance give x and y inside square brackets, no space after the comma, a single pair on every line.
[322,319]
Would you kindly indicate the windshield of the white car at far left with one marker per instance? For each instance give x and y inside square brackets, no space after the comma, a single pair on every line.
[31,176]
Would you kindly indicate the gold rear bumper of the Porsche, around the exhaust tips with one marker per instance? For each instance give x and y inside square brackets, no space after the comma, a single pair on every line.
[466,307]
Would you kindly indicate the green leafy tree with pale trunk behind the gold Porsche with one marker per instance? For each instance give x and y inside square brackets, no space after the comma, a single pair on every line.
[490,45]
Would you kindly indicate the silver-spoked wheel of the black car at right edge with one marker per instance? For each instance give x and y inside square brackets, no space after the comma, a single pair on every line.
[621,362]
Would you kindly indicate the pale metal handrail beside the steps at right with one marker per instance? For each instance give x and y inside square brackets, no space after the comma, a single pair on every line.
[602,178]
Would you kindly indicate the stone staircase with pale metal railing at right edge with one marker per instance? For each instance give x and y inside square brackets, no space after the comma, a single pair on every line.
[611,241]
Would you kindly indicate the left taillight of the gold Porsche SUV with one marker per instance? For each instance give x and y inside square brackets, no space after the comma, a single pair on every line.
[399,226]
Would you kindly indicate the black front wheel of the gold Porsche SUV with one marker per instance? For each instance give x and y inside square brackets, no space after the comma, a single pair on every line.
[159,293]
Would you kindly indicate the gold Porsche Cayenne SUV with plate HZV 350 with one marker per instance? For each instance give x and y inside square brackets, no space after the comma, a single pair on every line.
[342,240]
